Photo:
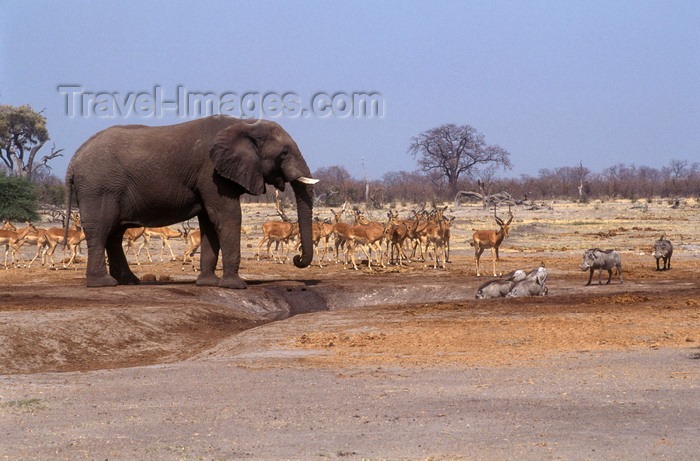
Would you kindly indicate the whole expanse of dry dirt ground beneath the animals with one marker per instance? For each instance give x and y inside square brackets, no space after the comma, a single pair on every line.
[390,364]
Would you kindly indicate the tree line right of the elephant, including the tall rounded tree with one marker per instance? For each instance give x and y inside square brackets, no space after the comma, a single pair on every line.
[455,161]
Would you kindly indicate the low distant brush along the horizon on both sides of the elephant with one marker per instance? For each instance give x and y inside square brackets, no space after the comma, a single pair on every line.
[20,198]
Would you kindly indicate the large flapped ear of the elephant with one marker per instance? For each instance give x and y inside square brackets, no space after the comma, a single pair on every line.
[235,157]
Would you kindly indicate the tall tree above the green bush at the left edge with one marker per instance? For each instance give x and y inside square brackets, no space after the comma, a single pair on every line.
[22,133]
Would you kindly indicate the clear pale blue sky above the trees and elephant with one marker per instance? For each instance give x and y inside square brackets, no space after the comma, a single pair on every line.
[553,83]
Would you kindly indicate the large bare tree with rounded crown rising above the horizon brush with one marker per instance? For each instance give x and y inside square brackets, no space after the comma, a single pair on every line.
[455,151]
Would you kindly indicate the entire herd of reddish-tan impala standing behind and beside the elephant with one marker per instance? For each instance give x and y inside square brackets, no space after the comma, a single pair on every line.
[397,241]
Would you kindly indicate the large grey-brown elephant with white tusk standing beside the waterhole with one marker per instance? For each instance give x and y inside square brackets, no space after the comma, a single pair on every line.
[134,175]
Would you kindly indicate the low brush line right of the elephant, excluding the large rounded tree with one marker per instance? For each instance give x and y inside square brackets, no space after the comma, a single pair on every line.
[678,179]
